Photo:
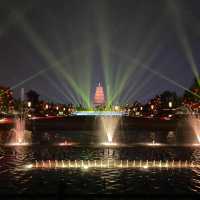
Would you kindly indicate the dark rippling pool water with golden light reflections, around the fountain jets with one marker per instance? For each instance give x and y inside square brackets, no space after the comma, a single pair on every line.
[15,179]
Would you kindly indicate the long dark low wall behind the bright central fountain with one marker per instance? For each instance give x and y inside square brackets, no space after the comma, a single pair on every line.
[93,123]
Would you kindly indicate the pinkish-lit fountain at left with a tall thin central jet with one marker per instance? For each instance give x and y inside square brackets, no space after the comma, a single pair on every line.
[19,135]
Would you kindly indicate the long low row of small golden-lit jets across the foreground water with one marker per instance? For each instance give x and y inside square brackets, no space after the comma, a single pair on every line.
[116,164]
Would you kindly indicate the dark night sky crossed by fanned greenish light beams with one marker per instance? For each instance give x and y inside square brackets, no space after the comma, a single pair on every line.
[144,47]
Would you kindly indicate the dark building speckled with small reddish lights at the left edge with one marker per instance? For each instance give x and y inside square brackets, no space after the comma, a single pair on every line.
[6,100]
